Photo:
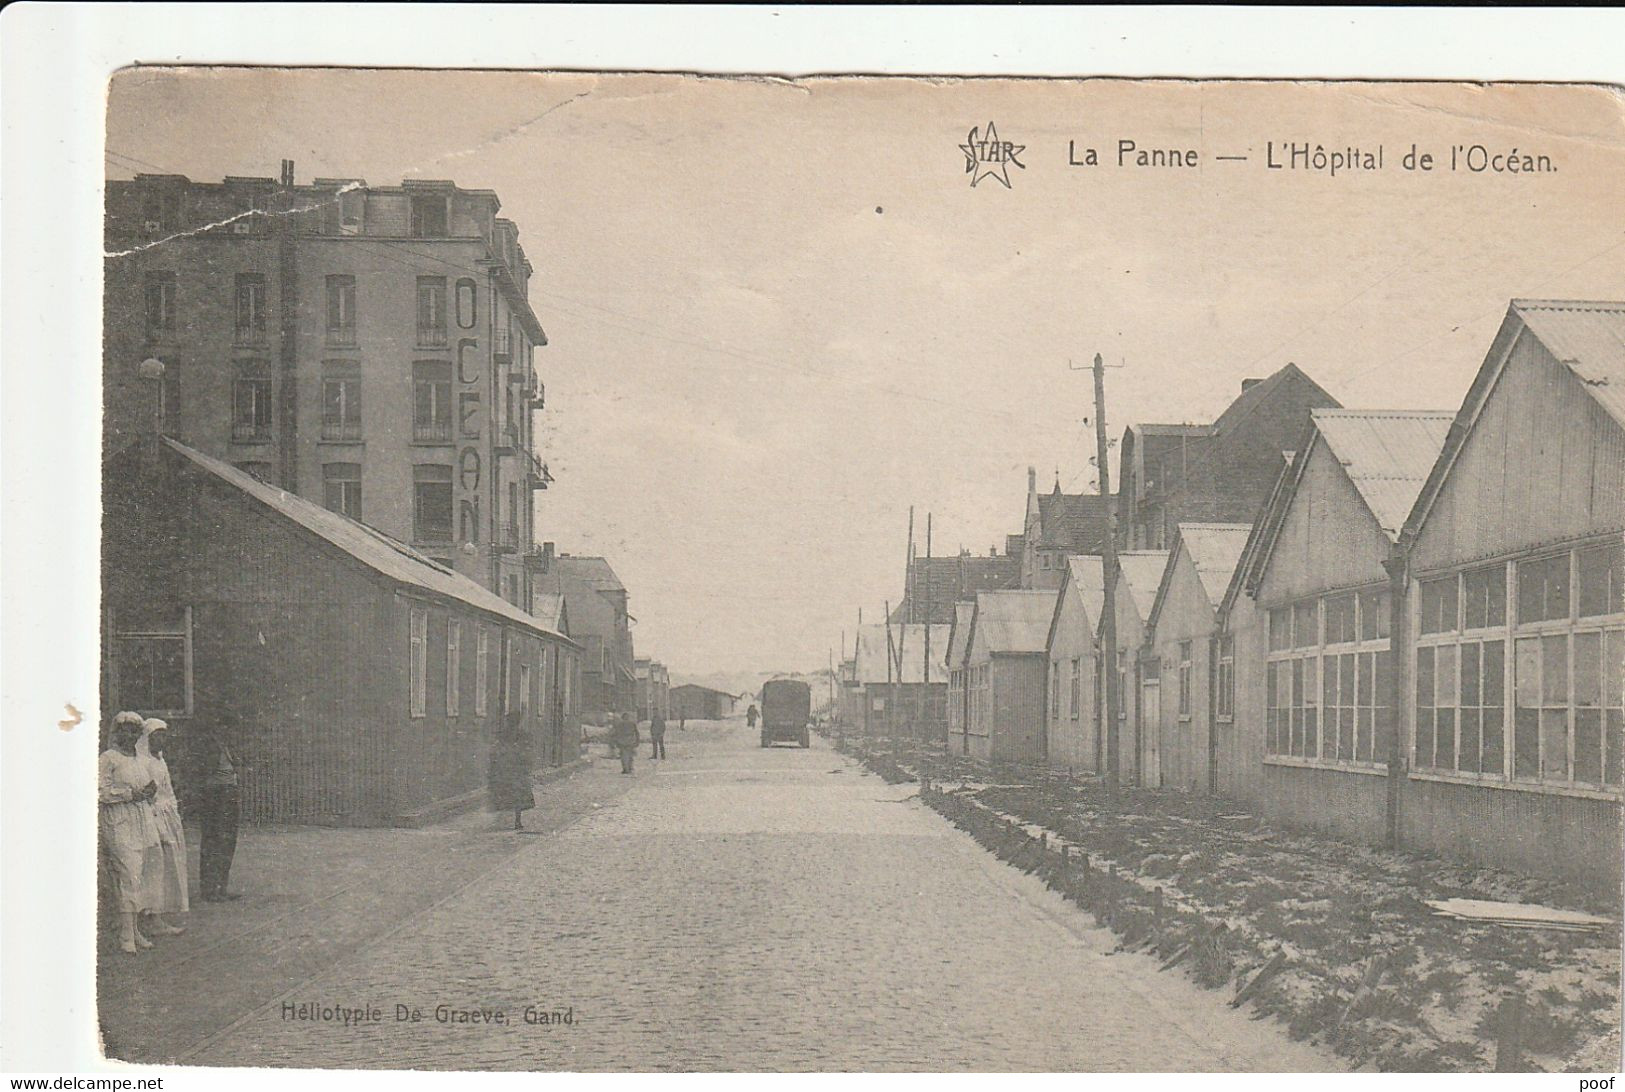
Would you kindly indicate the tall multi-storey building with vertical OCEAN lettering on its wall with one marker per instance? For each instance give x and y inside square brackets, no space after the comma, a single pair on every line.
[370,349]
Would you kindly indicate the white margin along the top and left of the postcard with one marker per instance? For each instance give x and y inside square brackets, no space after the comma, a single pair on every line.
[56,63]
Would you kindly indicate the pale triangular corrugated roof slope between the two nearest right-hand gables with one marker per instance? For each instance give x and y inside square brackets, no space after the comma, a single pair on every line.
[1387,454]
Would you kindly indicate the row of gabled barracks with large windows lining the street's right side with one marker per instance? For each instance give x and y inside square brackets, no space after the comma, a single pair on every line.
[1413,638]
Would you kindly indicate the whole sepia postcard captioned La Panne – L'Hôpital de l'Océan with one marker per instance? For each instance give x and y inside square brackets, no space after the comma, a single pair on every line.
[698,573]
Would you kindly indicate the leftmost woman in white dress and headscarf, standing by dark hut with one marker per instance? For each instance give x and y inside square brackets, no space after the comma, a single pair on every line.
[128,826]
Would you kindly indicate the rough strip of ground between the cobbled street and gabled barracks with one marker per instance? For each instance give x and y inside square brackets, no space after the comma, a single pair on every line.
[1364,966]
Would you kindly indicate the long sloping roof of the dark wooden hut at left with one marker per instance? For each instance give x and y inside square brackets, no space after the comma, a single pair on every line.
[388,557]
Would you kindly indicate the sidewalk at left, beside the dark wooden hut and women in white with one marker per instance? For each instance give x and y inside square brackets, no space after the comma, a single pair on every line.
[311,898]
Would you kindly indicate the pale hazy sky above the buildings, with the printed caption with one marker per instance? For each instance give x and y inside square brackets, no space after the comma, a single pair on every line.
[781,314]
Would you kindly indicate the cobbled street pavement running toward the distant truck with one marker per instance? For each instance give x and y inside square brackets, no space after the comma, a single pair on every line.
[747,909]
